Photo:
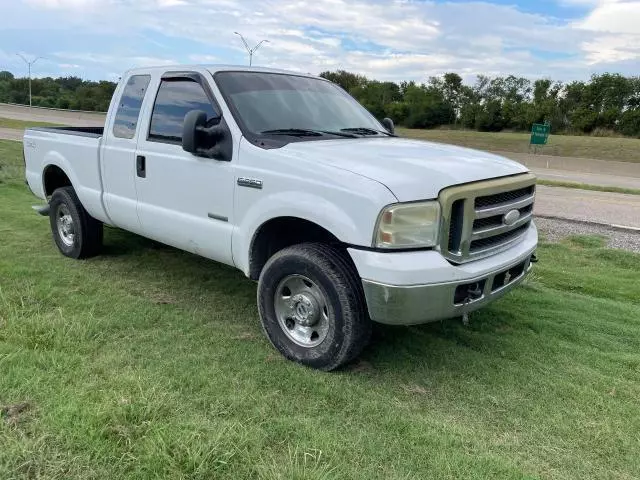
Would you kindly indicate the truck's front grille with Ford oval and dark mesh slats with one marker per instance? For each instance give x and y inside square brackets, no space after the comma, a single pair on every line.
[474,224]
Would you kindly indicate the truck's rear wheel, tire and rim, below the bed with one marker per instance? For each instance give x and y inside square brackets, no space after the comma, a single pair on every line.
[76,233]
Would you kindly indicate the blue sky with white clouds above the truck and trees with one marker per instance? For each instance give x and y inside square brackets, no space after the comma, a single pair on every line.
[385,40]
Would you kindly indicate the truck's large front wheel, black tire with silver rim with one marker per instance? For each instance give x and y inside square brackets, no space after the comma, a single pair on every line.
[312,306]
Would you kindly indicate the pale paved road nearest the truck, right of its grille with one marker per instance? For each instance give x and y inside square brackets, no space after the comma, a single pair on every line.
[600,207]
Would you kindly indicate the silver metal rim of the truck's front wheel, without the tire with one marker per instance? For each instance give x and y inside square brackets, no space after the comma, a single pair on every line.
[302,311]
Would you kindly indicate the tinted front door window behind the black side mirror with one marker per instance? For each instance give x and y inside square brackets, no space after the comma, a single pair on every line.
[175,99]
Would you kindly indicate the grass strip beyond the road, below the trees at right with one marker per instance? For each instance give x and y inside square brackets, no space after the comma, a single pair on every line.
[604,148]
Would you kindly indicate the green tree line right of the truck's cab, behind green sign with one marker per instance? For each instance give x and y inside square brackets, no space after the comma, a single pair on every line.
[605,103]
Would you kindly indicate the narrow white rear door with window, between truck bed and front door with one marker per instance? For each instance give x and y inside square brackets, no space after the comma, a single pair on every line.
[118,154]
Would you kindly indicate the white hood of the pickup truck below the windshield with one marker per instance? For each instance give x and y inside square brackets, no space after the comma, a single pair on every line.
[411,169]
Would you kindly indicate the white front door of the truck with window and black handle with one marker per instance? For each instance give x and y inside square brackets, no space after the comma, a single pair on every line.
[183,200]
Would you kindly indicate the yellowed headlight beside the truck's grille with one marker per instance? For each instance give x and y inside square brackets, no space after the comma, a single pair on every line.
[408,225]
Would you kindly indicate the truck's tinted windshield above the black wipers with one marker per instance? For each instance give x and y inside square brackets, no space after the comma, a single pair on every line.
[277,103]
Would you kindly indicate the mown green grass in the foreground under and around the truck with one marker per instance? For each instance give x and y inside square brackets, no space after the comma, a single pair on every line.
[147,362]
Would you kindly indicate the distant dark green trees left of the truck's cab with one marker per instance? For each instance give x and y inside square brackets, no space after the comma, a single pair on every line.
[64,92]
